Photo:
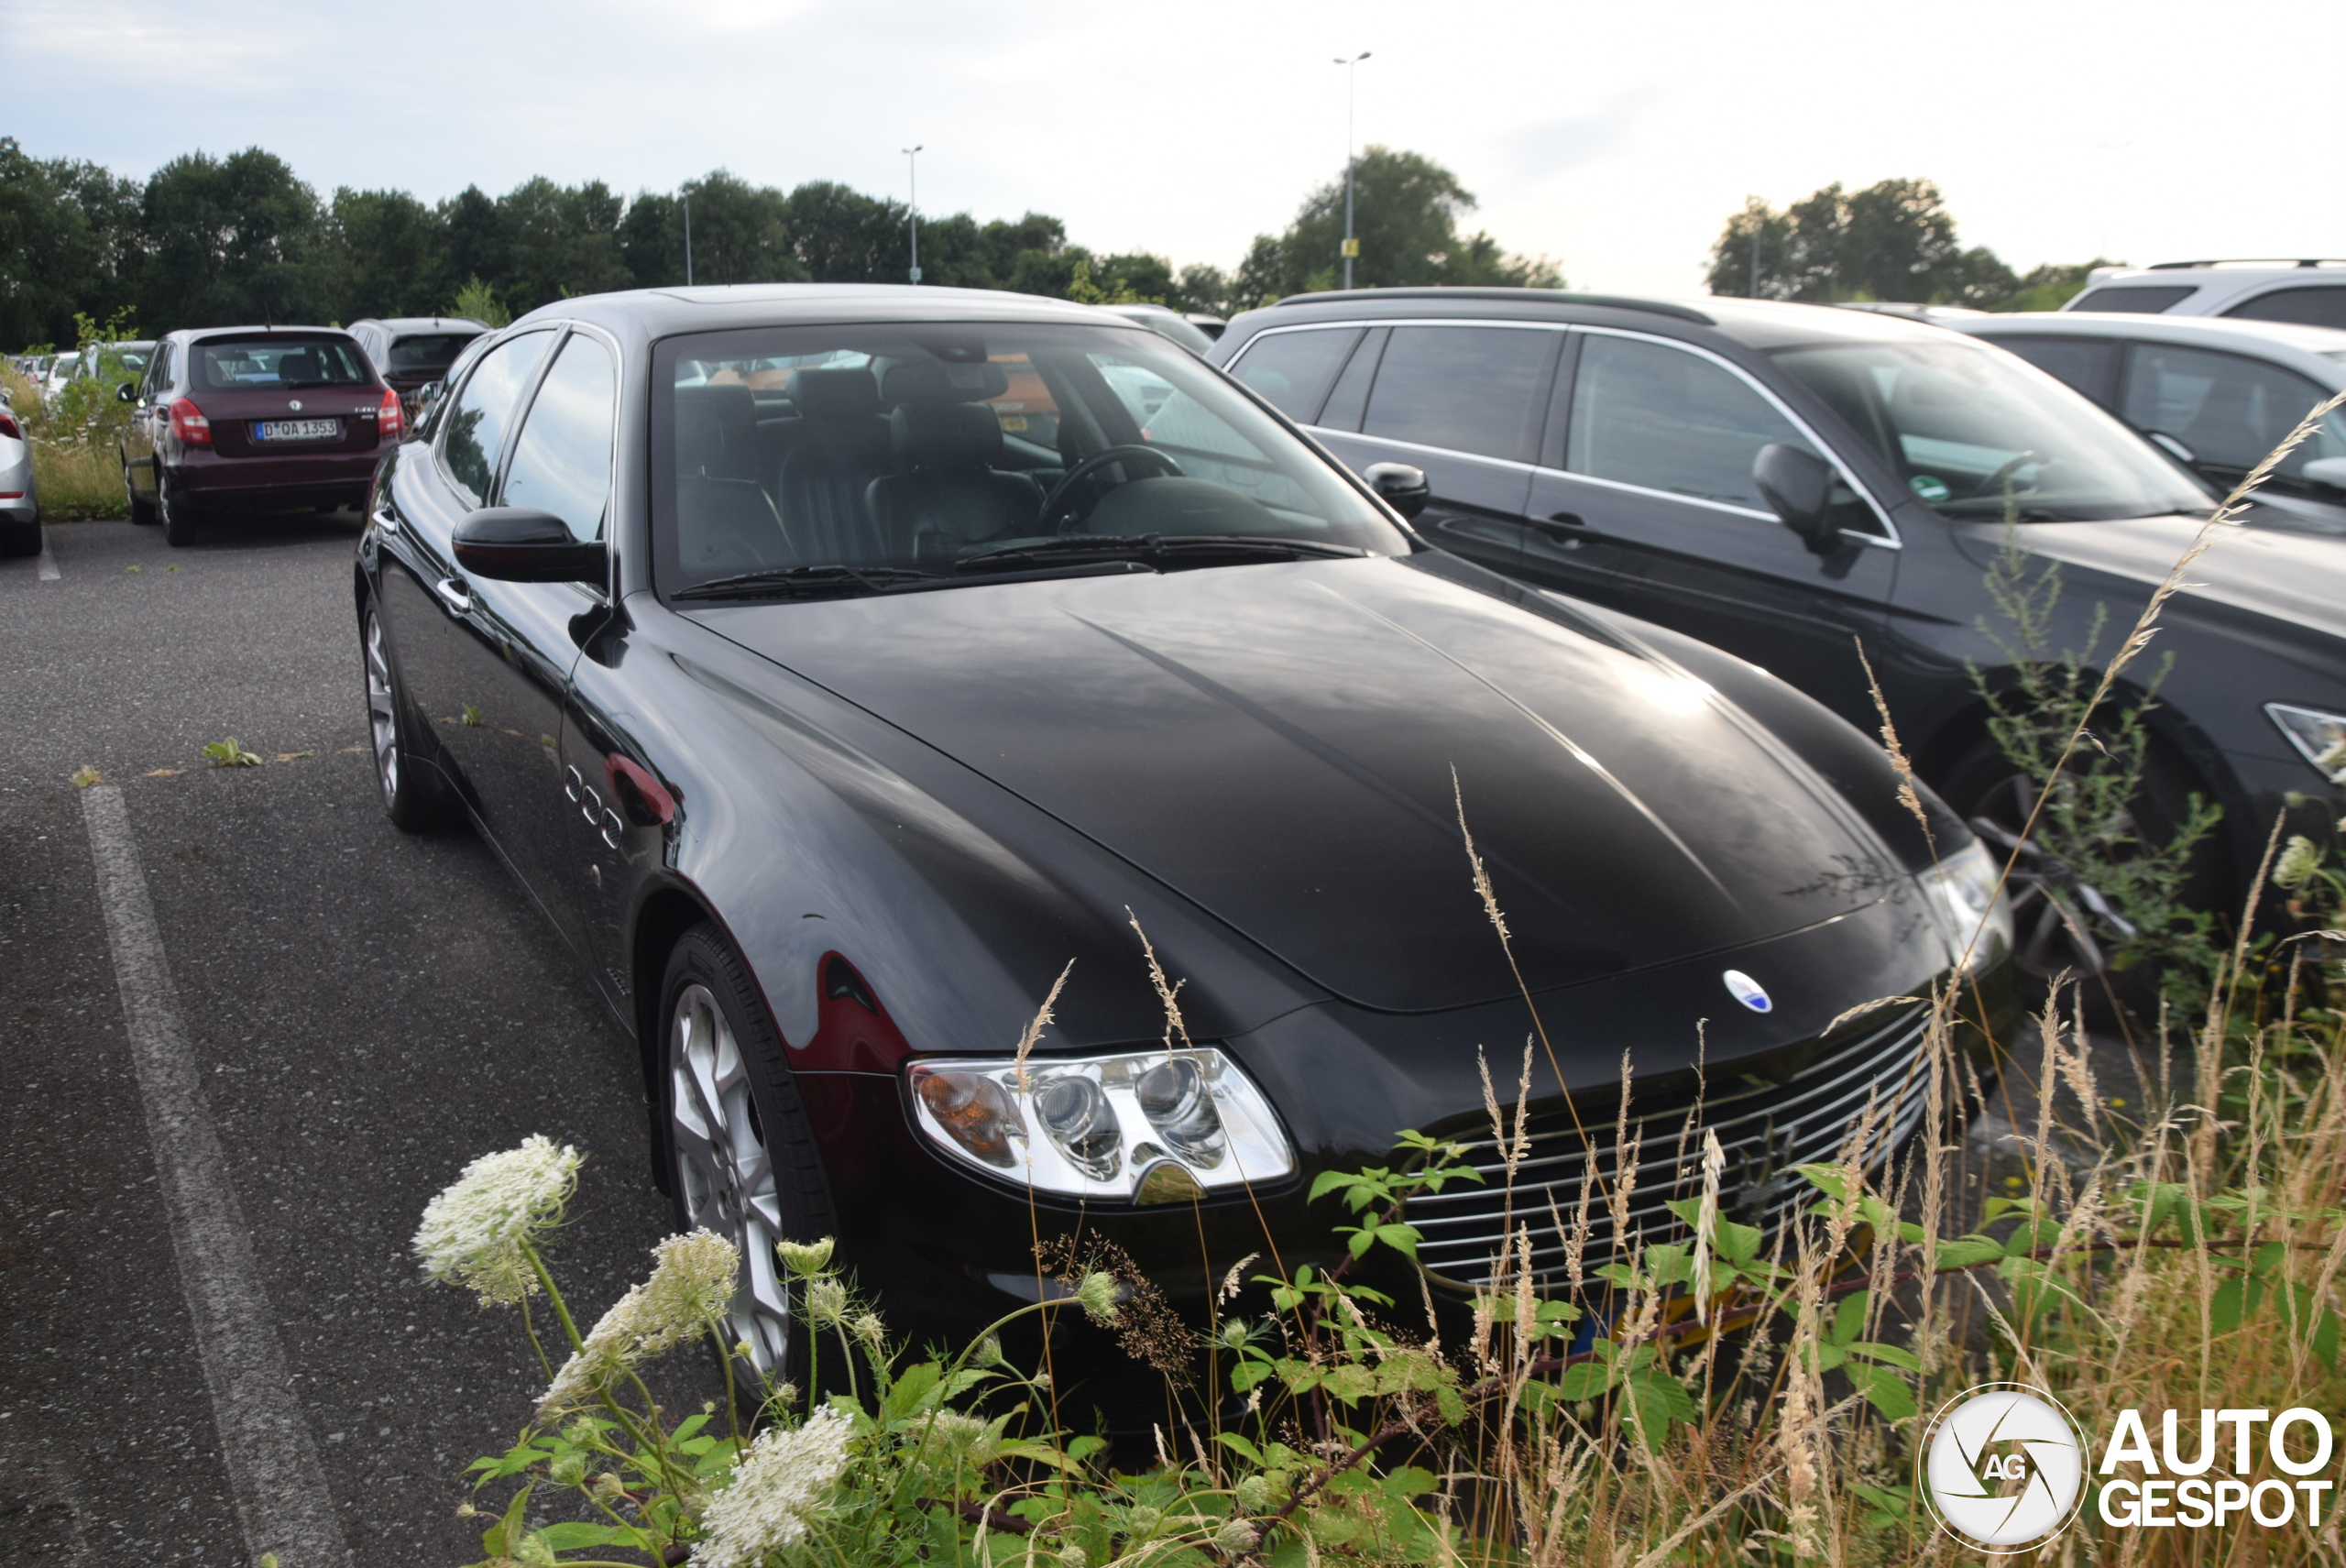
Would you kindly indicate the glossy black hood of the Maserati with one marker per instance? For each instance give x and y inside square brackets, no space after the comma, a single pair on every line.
[1287,745]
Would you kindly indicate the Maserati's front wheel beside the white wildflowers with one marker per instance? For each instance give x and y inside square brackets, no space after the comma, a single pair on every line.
[740,1149]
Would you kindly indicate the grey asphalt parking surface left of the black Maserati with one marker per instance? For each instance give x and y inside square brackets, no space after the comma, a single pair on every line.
[362,1015]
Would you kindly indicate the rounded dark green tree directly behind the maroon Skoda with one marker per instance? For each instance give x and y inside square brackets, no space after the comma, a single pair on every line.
[233,241]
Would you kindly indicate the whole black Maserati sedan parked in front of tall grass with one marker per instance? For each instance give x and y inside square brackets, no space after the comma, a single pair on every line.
[843,665]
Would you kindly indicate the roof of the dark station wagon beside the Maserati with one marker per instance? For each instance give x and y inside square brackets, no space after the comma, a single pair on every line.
[1761,325]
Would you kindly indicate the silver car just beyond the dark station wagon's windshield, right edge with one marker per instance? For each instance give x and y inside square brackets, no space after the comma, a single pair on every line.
[2216,393]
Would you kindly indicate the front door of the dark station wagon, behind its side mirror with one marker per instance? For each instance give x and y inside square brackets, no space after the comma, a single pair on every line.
[1646,501]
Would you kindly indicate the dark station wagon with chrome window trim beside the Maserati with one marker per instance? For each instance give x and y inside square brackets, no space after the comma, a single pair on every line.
[1798,482]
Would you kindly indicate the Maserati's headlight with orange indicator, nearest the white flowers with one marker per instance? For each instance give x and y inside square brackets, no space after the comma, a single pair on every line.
[1146,1128]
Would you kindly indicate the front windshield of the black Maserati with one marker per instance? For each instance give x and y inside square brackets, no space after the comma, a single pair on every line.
[857,459]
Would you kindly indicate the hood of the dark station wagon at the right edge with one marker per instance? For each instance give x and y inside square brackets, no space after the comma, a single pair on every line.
[2270,572]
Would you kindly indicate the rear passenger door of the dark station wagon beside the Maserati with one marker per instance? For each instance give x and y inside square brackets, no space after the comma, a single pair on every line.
[1463,400]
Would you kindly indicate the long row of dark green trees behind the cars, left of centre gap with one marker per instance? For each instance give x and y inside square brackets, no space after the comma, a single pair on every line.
[224,241]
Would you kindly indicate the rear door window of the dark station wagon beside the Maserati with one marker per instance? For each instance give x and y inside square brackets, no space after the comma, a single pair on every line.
[1463,388]
